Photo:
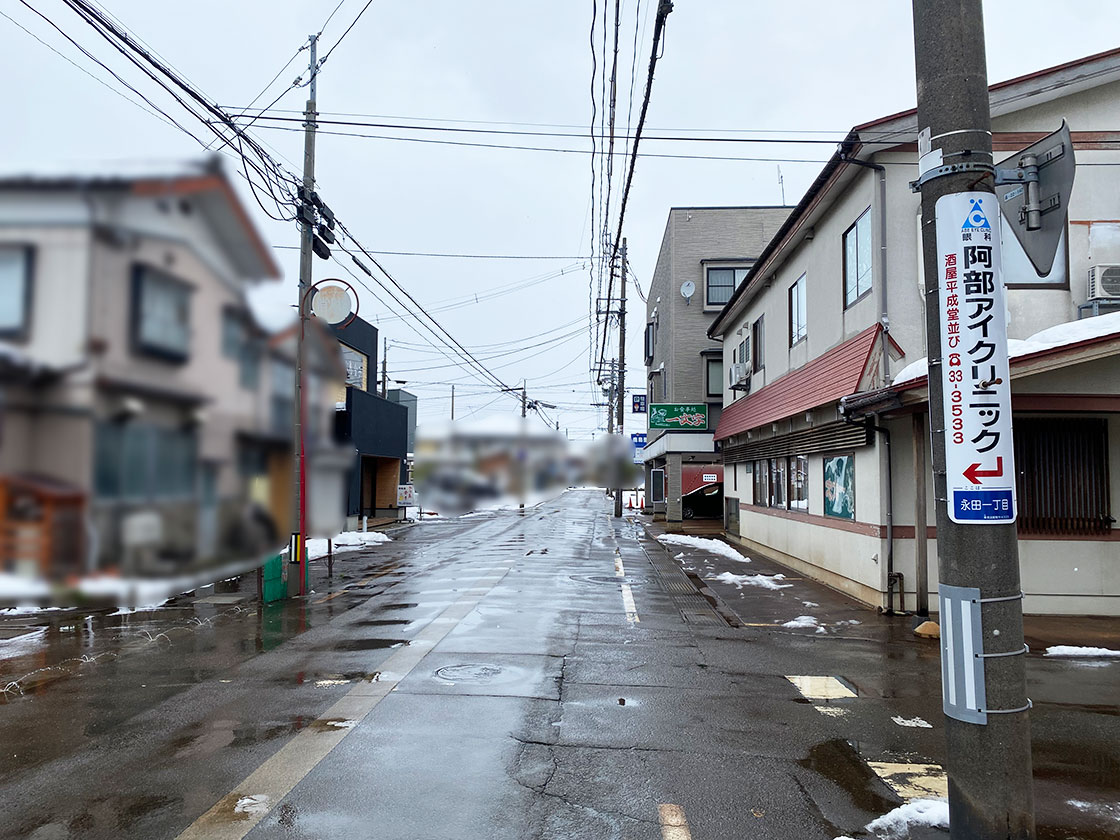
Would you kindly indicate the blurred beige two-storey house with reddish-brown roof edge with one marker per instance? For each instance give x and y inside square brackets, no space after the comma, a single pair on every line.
[136,380]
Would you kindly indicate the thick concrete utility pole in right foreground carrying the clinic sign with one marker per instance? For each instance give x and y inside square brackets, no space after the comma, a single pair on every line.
[987,724]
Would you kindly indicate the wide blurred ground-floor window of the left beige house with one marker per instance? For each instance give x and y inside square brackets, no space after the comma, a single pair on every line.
[141,462]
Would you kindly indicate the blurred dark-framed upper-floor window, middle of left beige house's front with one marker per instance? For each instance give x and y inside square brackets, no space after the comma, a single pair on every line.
[161,314]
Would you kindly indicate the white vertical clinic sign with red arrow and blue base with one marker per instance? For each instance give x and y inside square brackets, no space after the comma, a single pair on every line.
[975,370]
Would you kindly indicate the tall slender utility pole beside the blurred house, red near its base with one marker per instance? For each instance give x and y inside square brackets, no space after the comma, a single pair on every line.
[297,549]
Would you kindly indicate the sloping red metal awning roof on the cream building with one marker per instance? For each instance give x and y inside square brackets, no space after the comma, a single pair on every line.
[825,380]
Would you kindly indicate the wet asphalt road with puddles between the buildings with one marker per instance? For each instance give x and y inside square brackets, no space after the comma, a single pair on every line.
[547,675]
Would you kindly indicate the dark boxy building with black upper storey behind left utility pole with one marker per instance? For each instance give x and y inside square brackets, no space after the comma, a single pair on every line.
[376,426]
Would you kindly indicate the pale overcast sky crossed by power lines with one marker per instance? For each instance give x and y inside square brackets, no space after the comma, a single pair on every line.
[789,69]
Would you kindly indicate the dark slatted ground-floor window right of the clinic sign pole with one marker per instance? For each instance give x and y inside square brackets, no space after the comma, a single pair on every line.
[1062,477]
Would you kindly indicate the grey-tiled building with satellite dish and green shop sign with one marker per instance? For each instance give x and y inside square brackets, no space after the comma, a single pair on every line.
[706,253]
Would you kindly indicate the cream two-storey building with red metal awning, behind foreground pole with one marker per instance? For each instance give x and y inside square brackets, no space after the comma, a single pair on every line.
[825,427]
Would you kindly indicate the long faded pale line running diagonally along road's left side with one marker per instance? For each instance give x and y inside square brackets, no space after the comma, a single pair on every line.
[240,811]
